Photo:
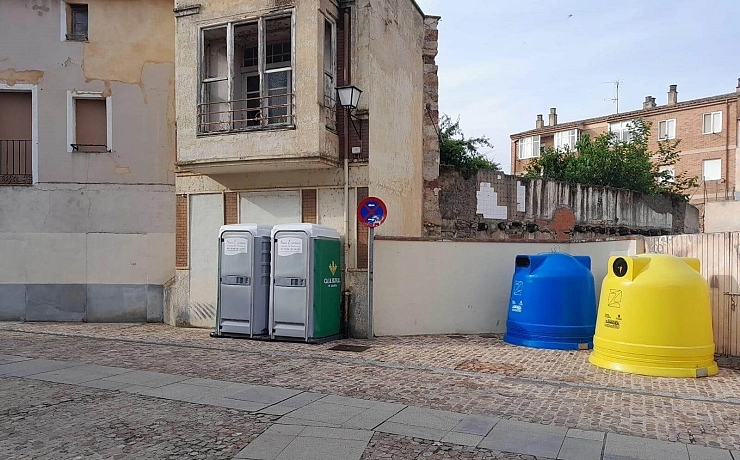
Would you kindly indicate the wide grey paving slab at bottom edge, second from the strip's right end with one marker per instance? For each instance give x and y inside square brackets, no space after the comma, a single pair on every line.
[619,446]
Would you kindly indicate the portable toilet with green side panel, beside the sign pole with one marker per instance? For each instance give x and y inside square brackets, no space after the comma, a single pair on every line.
[306,292]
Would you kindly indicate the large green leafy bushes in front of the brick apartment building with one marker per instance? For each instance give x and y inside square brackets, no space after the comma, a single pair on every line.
[606,161]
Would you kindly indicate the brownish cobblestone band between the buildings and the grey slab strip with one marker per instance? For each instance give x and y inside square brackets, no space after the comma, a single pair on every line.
[471,374]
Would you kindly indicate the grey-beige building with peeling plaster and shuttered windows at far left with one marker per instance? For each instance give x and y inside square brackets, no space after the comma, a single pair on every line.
[86,159]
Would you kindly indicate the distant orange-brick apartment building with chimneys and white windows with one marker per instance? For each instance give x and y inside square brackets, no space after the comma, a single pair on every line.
[707,128]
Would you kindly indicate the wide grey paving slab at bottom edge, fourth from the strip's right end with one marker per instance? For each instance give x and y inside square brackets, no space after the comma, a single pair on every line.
[525,438]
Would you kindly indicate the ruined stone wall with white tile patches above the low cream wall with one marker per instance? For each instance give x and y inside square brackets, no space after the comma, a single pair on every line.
[491,205]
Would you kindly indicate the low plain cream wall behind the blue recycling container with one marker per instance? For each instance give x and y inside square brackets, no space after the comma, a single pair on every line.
[440,287]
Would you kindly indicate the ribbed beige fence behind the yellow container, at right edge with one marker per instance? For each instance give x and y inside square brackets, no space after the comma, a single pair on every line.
[719,254]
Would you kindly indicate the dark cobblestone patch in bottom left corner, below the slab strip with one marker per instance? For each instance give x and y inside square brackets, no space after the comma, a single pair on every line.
[43,420]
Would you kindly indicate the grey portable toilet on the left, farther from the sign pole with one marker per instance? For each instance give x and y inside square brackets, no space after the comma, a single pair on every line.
[244,280]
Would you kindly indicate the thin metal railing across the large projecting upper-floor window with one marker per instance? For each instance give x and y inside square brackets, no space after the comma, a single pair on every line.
[246,114]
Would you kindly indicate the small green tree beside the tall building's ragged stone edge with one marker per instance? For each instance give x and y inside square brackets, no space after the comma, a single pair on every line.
[461,152]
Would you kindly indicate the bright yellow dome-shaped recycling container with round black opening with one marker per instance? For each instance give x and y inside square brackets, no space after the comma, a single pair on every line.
[654,318]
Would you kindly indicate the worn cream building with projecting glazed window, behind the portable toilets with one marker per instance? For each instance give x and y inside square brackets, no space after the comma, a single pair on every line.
[262,138]
